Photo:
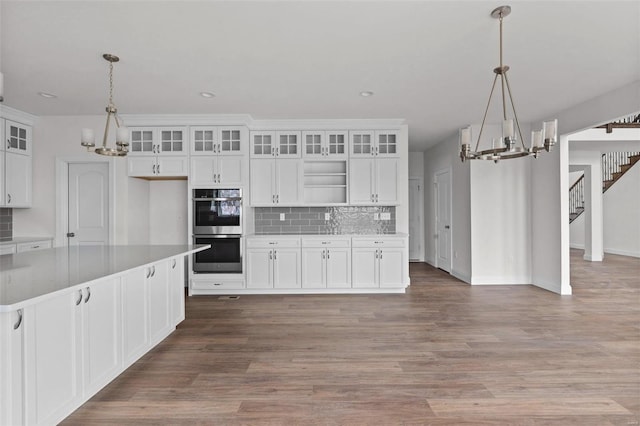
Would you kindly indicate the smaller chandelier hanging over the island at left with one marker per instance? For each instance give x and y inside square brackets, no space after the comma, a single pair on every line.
[122,133]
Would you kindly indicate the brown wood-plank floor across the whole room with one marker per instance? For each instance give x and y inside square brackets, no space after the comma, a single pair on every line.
[445,353]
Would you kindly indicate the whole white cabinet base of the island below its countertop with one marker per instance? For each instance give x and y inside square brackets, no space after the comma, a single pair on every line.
[59,352]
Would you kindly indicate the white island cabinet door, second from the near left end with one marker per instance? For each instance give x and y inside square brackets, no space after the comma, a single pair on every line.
[53,364]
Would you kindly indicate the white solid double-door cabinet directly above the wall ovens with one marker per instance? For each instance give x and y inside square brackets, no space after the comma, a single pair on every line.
[224,170]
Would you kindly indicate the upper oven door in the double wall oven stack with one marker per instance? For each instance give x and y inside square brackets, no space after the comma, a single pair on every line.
[217,216]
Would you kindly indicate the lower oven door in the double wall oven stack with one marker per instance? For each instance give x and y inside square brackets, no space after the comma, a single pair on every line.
[224,256]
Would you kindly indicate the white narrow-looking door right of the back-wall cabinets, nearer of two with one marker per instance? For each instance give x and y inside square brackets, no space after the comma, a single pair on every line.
[443,220]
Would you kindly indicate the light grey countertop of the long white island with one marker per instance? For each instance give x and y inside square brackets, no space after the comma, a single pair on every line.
[26,278]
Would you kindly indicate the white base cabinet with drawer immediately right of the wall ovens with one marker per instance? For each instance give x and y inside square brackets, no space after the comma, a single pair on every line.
[273,263]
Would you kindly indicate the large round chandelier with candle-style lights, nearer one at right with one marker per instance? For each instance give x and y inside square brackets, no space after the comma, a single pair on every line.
[507,146]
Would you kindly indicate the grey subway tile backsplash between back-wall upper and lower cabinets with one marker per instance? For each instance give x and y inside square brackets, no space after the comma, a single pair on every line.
[311,220]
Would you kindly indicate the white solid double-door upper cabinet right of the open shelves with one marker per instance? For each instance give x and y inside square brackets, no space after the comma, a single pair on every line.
[373,181]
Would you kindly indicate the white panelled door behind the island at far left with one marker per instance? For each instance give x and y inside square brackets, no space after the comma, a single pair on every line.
[88,222]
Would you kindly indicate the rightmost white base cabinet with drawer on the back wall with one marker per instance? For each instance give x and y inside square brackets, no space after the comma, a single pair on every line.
[379,262]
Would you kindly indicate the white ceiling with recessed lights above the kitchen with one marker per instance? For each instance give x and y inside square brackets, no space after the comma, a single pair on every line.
[429,62]
